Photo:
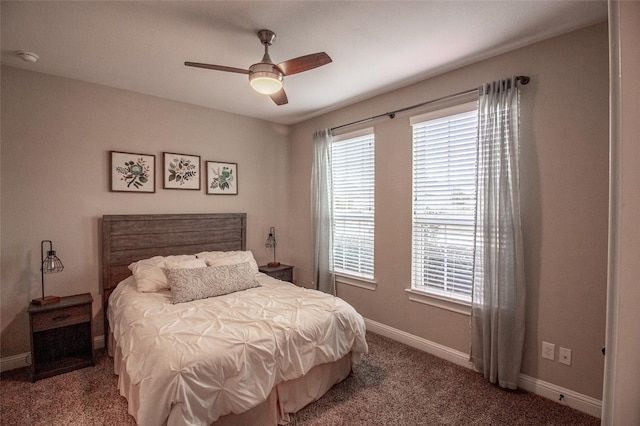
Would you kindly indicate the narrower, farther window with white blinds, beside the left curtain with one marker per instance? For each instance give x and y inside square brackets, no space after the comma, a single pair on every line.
[352,159]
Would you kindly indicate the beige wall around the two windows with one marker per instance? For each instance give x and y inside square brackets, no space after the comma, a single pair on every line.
[564,130]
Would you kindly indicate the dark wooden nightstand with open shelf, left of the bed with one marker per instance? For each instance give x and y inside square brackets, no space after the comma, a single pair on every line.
[61,336]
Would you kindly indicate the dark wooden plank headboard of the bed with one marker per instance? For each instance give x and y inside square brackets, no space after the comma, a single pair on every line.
[129,238]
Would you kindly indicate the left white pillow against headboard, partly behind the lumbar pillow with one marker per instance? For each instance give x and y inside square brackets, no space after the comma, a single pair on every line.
[150,275]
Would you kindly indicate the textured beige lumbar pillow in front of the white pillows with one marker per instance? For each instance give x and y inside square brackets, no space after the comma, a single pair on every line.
[200,283]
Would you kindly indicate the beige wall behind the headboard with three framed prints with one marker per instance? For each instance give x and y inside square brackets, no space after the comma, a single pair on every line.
[56,138]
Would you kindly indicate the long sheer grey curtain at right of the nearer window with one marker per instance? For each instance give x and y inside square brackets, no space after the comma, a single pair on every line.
[498,306]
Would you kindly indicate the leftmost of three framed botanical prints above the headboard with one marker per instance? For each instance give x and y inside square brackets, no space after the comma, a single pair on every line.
[132,172]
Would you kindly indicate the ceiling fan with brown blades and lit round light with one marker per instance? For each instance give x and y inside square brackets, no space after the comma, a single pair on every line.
[265,76]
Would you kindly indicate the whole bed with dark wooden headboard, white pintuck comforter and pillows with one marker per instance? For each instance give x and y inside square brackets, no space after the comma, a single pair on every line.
[248,356]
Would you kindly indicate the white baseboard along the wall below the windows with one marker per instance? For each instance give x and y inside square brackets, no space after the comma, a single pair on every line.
[576,400]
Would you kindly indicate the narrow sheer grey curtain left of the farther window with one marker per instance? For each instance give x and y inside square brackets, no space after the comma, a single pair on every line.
[321,212]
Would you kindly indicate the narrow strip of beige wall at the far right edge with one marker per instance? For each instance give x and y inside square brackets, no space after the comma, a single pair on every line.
[622,387]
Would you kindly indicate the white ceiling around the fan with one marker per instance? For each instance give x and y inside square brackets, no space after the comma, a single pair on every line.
[375,46]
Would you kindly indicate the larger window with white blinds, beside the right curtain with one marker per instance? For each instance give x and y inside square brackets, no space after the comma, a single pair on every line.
[444,199]
